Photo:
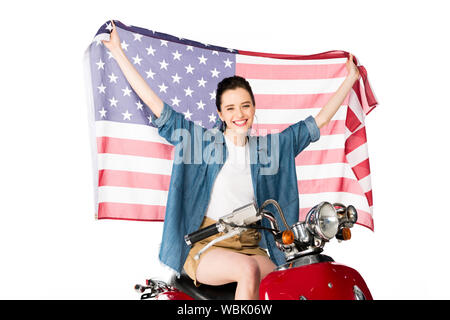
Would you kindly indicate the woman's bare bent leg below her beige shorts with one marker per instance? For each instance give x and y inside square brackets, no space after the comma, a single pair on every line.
[219,266]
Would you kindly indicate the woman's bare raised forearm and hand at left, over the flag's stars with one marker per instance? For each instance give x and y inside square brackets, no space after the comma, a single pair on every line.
[139,85]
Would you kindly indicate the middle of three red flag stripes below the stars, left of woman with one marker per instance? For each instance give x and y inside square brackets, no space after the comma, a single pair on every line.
[131,179]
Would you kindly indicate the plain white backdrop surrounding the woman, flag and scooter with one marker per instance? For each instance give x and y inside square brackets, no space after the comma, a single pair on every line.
[51,247]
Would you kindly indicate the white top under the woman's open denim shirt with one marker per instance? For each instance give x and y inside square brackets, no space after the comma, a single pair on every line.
[233,186]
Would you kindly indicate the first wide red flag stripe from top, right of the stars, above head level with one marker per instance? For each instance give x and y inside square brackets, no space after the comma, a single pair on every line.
[290,72]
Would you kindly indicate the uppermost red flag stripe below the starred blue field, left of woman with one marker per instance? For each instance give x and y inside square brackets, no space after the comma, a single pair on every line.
[134,148]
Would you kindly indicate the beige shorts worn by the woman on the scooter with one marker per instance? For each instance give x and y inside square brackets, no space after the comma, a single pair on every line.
[246,243]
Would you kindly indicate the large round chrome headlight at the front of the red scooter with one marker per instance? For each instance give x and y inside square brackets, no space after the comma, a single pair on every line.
[322,220]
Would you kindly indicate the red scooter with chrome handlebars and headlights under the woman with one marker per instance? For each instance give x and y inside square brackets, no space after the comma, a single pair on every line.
[306,275]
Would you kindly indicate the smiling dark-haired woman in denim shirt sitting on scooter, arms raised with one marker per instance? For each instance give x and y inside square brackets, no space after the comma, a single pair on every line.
[200,193]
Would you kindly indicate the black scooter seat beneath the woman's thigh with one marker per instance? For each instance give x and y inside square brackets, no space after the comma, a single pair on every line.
[203,292]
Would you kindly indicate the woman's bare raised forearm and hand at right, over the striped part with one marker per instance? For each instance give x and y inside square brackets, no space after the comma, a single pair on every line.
[328,111]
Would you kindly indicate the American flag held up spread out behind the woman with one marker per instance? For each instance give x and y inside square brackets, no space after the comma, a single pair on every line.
[132,163]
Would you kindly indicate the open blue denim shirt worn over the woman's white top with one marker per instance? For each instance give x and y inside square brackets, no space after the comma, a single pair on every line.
[200,154]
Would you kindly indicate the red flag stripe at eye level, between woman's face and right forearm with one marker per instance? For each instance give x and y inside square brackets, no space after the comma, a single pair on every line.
[294,101]
